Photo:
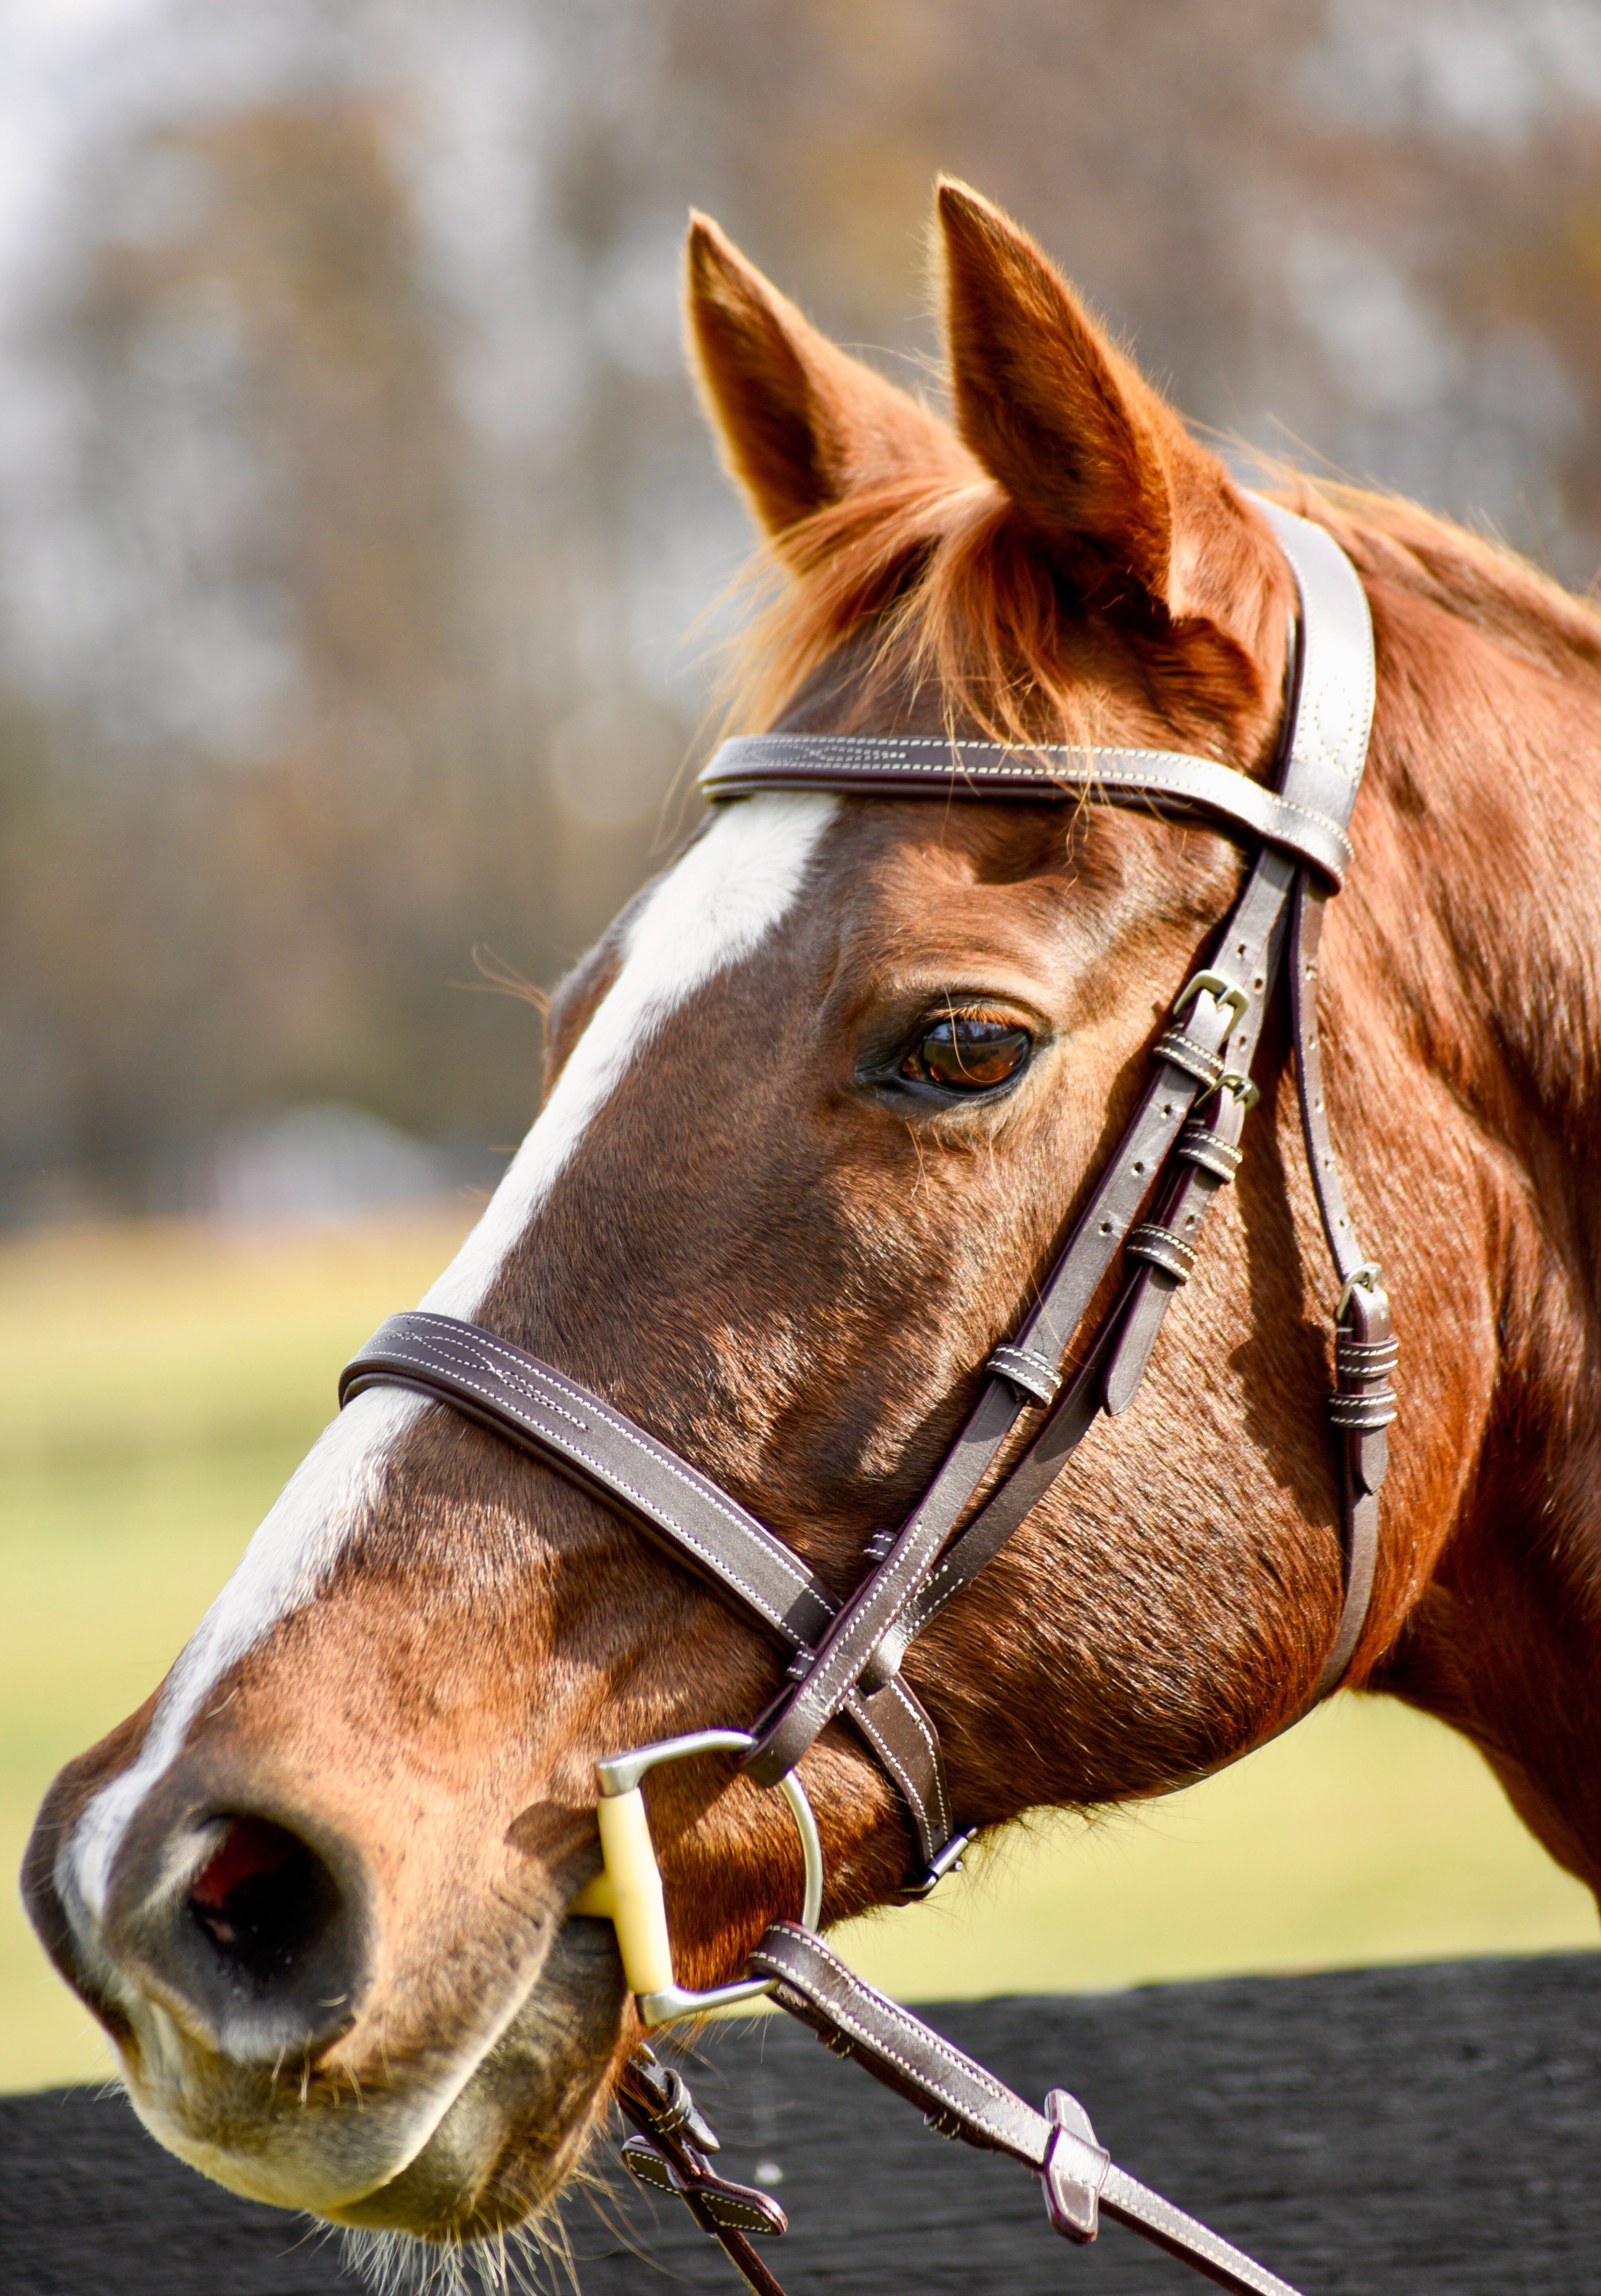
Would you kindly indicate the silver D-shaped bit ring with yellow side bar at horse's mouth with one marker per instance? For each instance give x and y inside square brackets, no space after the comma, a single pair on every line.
[628,1891]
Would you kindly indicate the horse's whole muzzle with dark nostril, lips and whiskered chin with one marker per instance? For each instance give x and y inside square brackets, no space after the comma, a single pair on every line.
[291,2031]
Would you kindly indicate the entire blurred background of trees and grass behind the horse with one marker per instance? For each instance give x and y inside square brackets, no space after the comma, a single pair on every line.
[362,580]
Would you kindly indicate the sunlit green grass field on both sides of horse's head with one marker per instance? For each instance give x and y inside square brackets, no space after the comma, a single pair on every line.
[160,1383]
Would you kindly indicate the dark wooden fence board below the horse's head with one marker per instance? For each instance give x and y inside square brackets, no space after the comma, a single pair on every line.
[1428,2132]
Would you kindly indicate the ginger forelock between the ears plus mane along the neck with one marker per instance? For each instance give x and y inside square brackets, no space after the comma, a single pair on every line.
[957,589]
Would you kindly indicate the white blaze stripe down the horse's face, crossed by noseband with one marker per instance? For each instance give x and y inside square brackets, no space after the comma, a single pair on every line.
[709,913]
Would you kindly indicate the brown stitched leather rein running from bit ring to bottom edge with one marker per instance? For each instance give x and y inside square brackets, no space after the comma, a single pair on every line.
[961,2100]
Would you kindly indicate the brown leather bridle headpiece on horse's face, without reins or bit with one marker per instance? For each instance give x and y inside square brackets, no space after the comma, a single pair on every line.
[846,1657]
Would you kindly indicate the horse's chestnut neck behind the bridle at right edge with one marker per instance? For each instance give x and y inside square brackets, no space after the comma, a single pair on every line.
[1485,936]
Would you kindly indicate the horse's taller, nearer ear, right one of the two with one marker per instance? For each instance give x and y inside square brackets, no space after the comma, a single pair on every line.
[1088,451]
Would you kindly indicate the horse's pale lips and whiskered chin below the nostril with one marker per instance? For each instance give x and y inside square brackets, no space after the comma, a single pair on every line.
[444,2162]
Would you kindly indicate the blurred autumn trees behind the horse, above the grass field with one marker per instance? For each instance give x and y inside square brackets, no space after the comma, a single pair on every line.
[376,504]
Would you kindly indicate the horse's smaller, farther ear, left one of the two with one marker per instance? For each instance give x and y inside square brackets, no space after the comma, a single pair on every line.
[803,426]
